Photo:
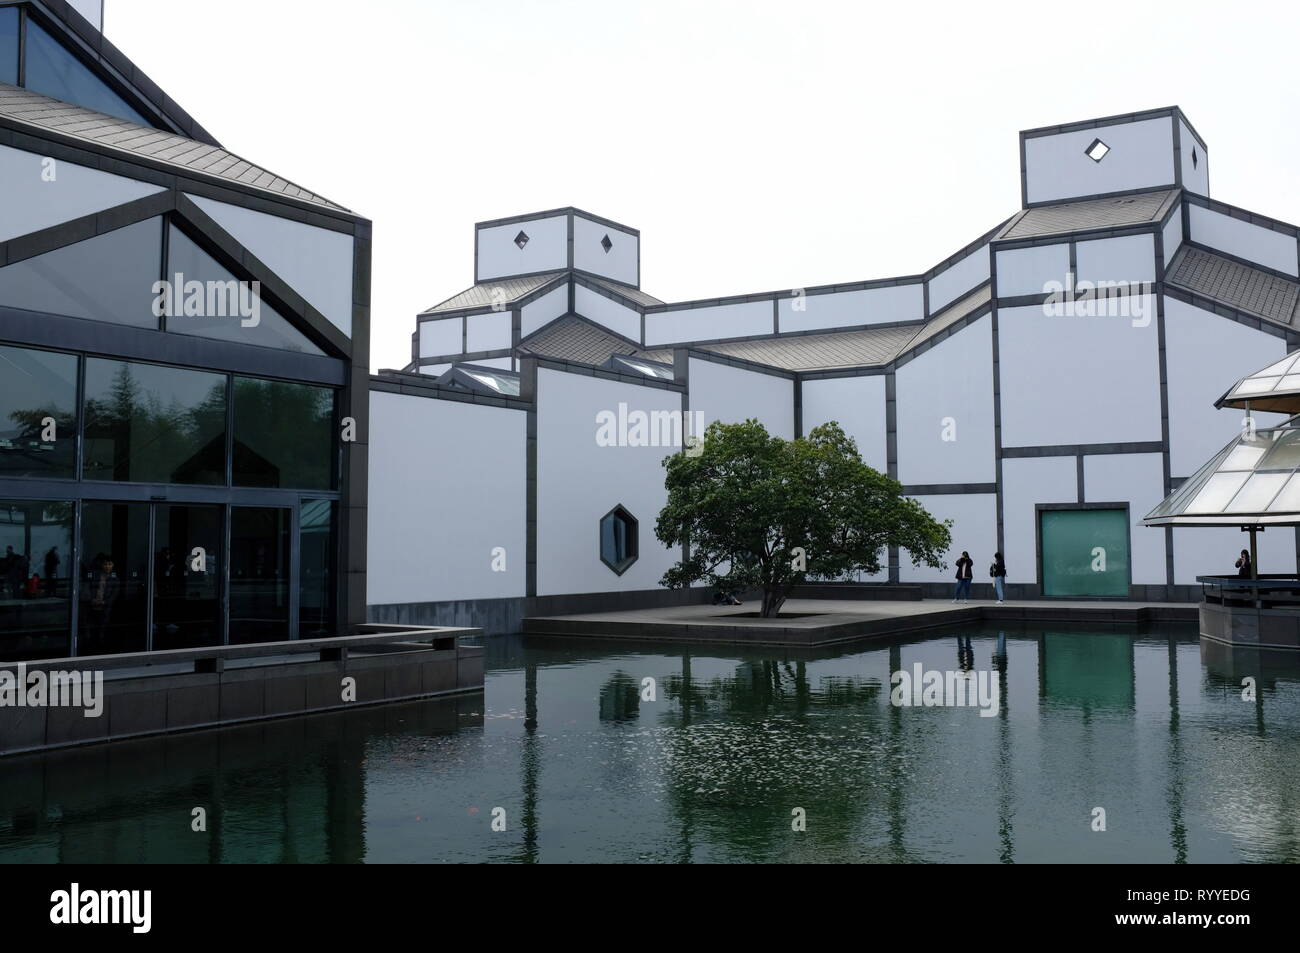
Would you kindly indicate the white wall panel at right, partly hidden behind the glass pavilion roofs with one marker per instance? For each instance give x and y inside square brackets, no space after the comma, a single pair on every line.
[1206,356]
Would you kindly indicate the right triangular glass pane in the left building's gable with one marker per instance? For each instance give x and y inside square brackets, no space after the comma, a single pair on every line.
[268,328]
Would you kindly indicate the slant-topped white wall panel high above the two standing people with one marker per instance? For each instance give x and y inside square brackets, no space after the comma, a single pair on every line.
[952,382]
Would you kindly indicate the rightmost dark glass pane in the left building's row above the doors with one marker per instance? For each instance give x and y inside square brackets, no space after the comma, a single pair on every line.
[284,435]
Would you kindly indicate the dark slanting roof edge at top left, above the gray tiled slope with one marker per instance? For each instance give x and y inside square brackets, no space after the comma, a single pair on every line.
[114,67]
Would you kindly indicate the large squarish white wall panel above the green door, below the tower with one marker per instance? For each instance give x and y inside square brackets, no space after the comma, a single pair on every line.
[1080,380]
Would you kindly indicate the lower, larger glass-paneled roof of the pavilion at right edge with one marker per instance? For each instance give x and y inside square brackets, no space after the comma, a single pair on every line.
[1255,480]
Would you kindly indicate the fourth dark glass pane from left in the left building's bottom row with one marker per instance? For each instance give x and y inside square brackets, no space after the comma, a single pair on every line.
[259,575]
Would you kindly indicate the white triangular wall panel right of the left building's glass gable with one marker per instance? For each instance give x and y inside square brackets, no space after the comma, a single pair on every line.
[317,263]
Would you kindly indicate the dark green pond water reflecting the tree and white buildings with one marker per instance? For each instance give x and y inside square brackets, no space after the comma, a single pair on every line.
[1149,726]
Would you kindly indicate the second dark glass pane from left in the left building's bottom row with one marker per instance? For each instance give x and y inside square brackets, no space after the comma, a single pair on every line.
[115,571]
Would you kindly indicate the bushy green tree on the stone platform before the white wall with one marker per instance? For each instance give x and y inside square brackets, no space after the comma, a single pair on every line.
[755,512]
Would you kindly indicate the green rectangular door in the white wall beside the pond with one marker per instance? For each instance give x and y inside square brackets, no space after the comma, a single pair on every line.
[1085,552]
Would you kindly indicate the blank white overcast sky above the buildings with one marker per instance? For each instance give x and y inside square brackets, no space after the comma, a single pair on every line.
[757,146]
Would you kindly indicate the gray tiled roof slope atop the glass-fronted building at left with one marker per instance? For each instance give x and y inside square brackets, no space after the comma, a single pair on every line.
[188,155]
